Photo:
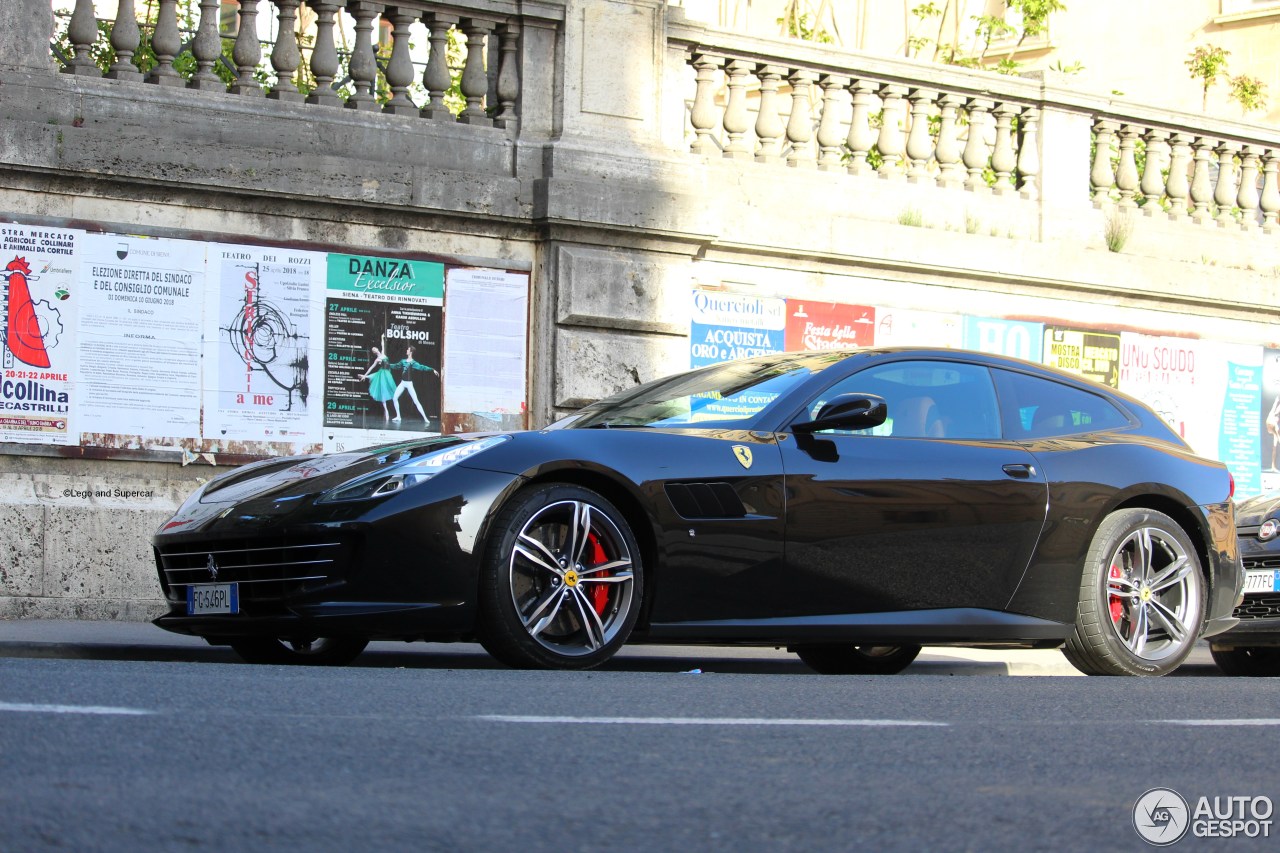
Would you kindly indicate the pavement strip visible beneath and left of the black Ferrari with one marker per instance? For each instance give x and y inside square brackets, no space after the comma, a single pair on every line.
[124,641]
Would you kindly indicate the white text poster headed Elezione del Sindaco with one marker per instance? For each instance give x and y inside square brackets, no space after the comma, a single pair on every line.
[139,339]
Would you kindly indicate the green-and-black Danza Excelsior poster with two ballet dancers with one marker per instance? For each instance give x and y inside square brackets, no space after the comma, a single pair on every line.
[382,350]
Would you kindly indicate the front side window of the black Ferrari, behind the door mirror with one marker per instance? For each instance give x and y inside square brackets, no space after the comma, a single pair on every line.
[926,399]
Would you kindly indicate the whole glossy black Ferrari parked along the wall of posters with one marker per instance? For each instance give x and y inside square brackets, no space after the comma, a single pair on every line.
[851,507]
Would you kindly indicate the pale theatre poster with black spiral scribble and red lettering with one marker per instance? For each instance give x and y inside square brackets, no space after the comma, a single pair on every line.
[262,352]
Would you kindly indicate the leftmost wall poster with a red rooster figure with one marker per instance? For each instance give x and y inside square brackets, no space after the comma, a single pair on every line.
[38,308]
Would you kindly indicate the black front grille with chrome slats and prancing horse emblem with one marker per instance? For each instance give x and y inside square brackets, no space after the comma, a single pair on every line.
[267,572]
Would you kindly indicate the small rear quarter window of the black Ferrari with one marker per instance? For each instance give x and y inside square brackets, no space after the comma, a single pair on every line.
[1036,408]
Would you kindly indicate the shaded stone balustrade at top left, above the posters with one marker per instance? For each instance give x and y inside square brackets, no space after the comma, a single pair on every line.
[356,80]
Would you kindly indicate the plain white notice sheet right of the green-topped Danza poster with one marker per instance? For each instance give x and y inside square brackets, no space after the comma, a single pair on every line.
[486,345]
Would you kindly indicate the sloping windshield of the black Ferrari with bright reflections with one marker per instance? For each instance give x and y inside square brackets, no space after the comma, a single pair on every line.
[725,394]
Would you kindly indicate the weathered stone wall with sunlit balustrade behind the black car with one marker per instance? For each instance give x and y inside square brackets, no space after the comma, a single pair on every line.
[614,189]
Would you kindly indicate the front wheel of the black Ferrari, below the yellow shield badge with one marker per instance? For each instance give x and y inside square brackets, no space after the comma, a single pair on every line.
[561,581]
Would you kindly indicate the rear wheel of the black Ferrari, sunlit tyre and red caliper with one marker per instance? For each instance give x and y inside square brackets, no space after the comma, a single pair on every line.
[1142,597]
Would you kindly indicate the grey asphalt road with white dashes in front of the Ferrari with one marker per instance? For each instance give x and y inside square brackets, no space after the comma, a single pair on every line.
[102,755]
